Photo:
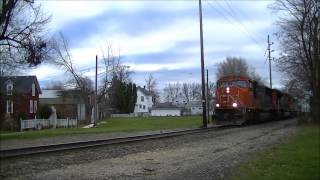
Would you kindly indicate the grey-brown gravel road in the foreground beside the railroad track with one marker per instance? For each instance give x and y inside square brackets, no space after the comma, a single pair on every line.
[211,155]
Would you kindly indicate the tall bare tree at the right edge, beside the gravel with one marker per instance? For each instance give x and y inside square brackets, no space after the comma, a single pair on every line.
[299,34]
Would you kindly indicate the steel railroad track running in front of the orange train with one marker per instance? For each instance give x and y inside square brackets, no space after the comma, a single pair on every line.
[9,153]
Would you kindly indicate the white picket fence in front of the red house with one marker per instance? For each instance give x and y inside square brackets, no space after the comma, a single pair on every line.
[46,123]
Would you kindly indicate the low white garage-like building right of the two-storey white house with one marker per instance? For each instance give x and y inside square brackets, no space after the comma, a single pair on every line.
[166,109]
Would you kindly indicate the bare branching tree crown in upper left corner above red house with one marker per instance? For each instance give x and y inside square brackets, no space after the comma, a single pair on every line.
[22,39]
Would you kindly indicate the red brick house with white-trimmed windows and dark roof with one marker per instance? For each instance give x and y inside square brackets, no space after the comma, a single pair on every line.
[19,96]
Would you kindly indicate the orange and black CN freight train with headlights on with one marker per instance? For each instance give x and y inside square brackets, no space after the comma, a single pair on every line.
[241,100]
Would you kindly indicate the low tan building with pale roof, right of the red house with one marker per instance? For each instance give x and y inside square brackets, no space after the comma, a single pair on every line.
[68,103]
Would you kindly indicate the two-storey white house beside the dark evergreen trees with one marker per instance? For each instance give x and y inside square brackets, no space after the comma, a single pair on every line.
[144,101]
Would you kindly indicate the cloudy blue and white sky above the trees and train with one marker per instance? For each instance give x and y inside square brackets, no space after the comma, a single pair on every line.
[162,37]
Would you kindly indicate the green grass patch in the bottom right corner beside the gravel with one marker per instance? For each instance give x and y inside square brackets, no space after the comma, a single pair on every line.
[297,159]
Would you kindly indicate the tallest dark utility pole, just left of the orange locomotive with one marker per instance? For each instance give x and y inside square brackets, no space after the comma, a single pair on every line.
[204,109]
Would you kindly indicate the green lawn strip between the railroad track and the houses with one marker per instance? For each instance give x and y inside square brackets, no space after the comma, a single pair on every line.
[112,125]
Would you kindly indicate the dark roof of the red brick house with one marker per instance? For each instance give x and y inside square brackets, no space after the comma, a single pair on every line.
[21,83]
